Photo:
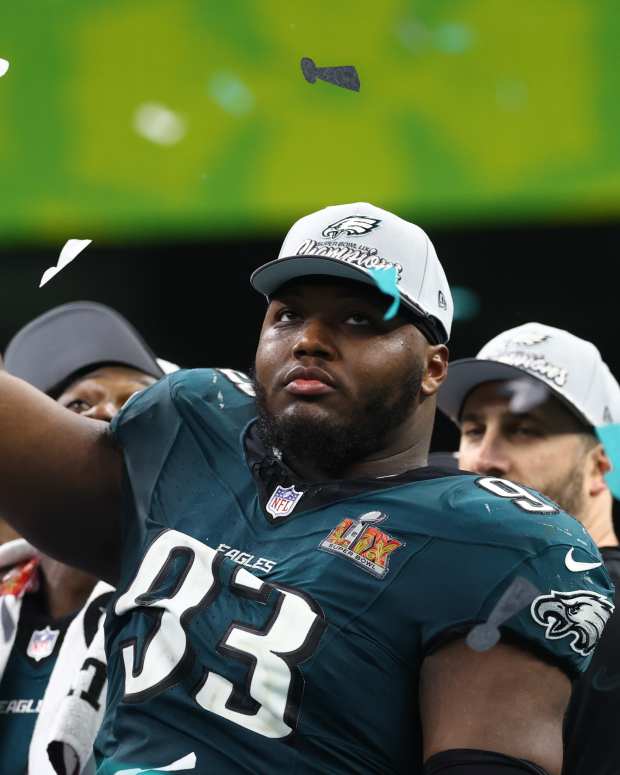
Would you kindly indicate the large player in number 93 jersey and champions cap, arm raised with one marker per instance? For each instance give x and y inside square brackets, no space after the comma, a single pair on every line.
[296,588]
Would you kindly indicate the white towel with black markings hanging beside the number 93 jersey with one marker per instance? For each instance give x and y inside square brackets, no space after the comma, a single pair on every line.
[74,701]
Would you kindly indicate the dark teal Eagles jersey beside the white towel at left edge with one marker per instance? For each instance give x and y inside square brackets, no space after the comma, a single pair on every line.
[24,682]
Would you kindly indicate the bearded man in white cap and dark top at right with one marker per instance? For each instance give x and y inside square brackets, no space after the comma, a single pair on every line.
[527,406]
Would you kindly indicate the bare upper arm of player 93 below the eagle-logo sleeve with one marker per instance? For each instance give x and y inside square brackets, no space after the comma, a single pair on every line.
[505,700]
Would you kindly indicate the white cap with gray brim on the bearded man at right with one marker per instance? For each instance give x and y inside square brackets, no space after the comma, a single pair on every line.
[570,367]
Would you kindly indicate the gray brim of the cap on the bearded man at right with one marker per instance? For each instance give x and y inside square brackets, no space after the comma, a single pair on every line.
[467,374]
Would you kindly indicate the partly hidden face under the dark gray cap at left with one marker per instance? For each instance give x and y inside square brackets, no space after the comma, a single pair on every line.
[100,394]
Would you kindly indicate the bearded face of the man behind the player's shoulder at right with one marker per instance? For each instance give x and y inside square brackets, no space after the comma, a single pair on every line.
[543,448]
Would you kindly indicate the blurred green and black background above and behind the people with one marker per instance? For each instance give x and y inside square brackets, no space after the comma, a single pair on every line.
[181,137]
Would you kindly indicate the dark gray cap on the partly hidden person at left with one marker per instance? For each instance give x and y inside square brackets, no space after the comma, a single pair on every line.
[71,338]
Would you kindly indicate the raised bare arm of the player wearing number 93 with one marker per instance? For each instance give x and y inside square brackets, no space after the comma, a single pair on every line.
[60,477]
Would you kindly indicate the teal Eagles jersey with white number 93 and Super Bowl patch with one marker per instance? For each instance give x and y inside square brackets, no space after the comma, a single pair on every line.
[266,624]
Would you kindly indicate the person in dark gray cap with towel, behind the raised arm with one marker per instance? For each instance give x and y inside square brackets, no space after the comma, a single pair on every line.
[91,360]
